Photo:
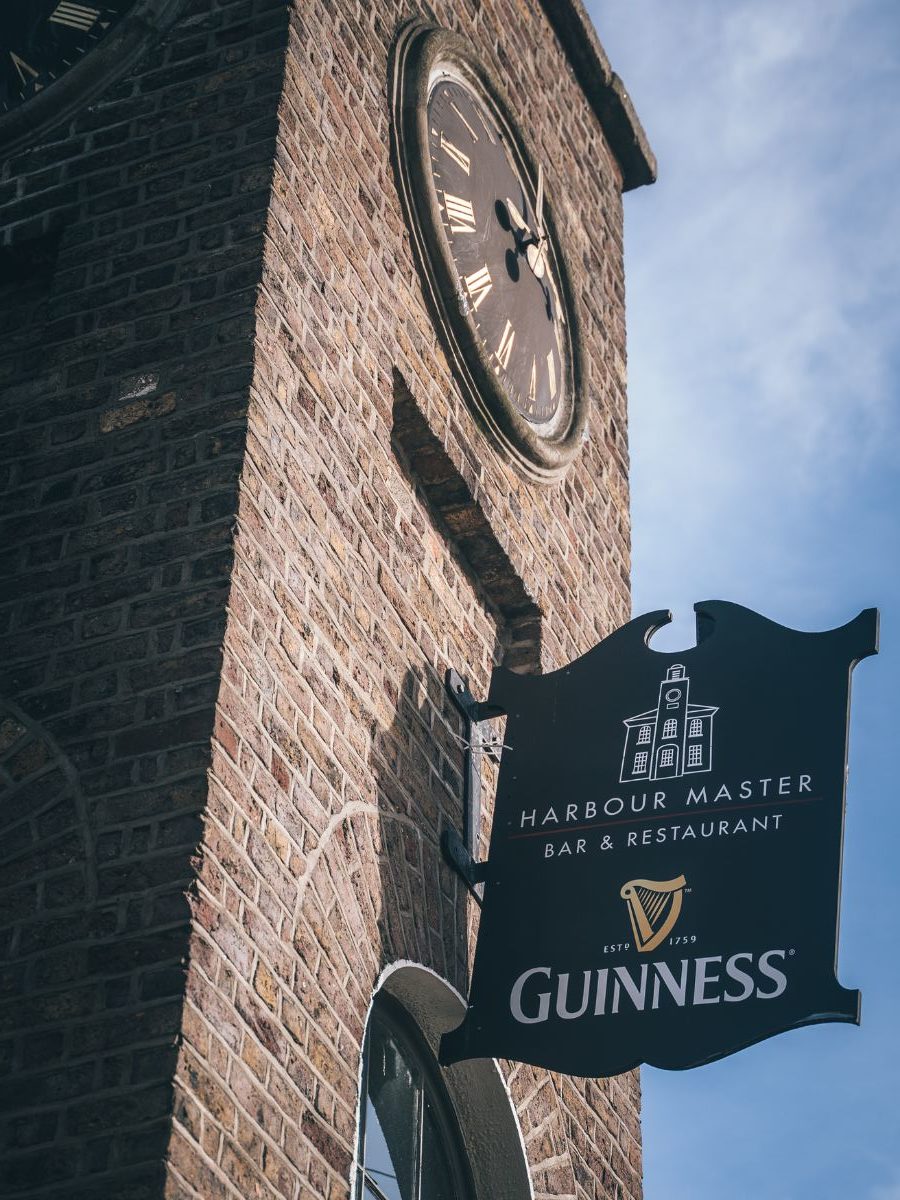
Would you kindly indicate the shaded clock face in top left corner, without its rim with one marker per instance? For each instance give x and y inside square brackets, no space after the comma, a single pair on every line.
[41,40]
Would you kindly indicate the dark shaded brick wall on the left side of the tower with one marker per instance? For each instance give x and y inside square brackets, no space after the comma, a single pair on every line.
[129,269]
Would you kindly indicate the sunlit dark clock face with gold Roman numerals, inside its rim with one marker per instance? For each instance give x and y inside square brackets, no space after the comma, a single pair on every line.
[506,266]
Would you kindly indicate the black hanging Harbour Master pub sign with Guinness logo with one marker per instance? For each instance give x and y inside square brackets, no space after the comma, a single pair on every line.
[664,874]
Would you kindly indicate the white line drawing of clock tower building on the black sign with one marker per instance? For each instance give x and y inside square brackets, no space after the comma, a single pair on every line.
[673,740]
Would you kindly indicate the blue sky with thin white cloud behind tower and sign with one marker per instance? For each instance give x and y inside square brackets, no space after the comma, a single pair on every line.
[764,302]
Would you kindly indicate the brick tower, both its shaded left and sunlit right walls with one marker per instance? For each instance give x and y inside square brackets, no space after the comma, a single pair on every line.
[250,520]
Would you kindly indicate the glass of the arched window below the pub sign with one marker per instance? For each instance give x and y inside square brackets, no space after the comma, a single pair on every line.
[410,1144]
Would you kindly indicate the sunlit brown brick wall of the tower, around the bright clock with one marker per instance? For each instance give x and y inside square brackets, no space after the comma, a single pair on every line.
[355,587]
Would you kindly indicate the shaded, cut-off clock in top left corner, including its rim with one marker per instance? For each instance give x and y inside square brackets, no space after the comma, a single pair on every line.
[56,53]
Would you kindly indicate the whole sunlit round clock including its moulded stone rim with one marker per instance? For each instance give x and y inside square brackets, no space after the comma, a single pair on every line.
[481,215]
